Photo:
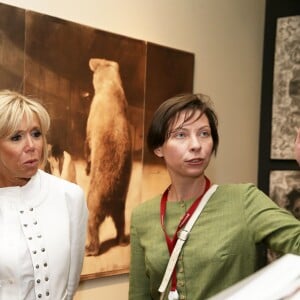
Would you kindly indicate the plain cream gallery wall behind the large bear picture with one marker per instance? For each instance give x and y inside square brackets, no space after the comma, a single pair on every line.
[226,37]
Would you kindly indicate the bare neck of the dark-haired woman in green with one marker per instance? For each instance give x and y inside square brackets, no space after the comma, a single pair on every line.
[181,191]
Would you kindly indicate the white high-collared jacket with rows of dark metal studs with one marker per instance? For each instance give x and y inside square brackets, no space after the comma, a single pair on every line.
[42,238]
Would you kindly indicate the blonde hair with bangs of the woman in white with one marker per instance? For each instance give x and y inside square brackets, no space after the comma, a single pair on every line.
[13,107]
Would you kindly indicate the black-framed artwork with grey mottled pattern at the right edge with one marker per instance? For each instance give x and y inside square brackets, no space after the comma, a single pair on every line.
[280,96]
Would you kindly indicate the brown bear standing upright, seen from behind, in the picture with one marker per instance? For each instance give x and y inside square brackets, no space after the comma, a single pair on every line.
[108,152]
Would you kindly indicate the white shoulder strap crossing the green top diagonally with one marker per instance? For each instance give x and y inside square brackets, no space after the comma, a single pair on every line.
[182,237]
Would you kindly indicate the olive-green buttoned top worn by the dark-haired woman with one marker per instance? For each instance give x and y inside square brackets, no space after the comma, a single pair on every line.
[221,248]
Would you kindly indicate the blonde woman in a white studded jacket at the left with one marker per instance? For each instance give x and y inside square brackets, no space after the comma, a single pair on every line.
[42,217]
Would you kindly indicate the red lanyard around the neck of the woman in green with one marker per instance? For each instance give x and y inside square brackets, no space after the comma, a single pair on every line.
[183,221]
